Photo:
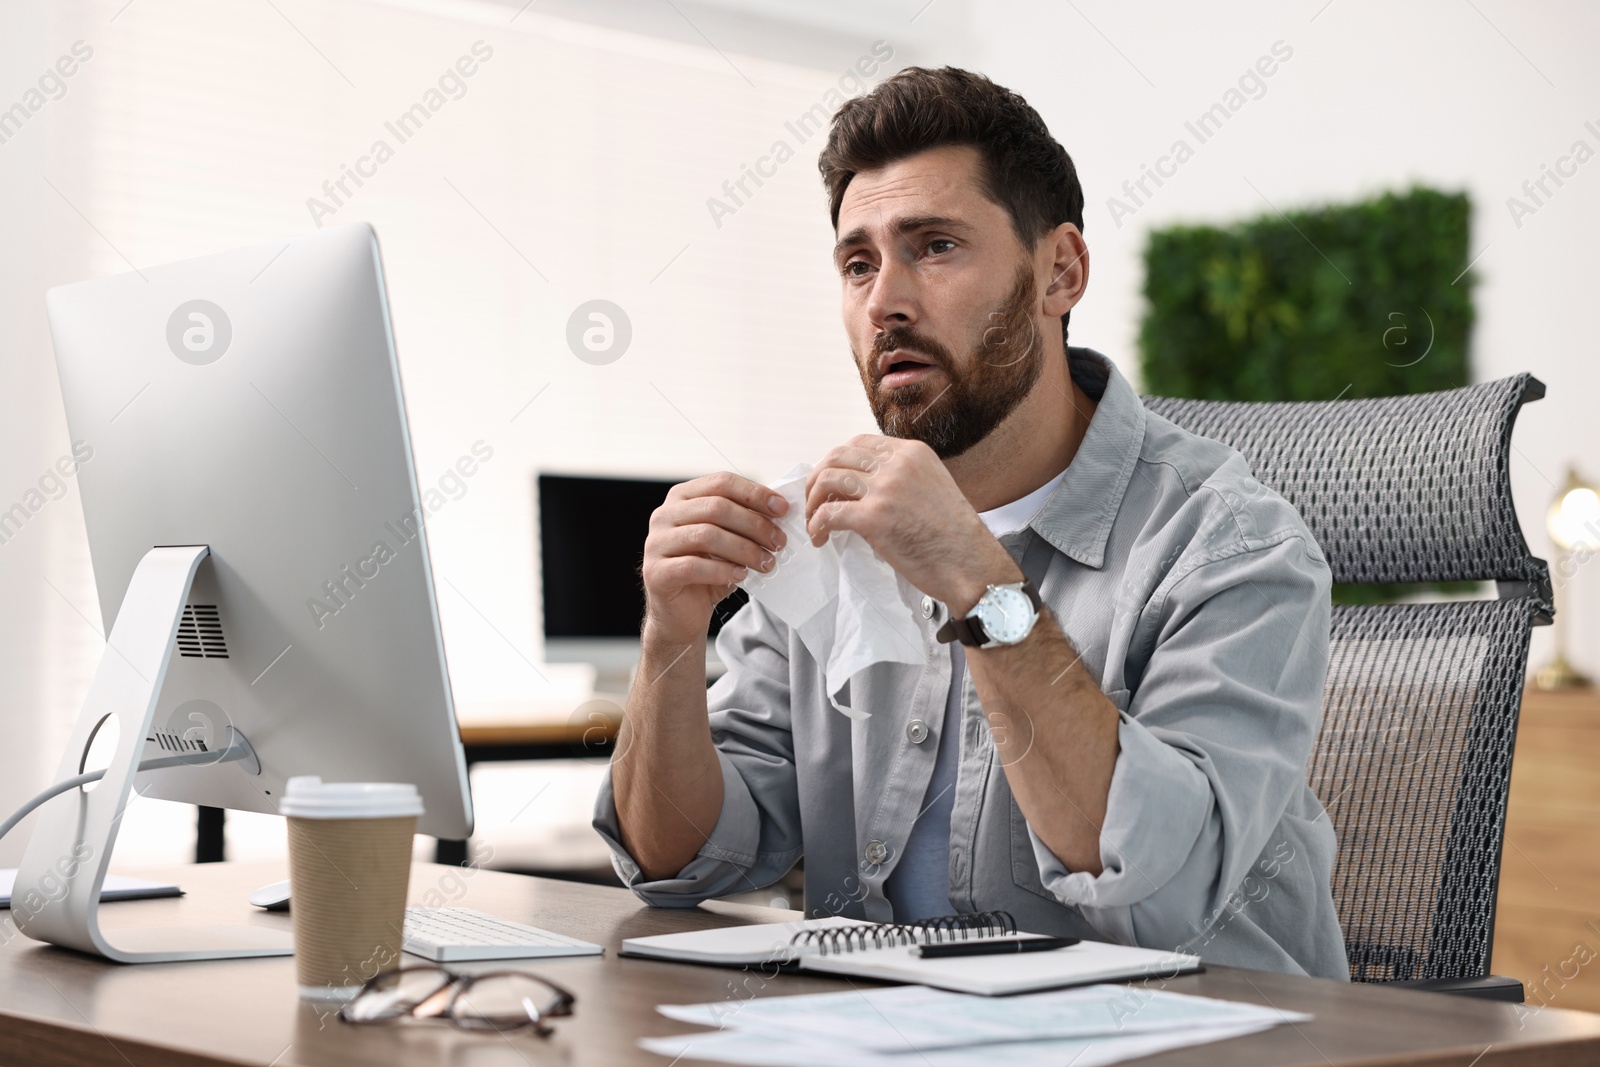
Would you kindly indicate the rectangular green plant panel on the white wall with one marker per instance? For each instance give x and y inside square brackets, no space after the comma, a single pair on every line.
[1343,302]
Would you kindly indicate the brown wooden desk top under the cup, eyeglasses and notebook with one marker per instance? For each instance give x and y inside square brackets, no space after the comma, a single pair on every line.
[66,1009]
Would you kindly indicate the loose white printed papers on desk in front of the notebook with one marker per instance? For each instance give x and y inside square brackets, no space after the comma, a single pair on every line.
[1100,1025]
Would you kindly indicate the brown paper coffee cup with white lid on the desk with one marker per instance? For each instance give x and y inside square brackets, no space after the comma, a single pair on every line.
[350,873]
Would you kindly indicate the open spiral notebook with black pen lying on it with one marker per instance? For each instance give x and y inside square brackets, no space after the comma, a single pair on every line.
[887,953]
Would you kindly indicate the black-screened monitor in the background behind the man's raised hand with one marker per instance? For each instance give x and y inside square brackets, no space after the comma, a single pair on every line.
[591,545]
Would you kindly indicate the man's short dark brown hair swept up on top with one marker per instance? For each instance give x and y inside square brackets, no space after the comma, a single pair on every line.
[1025,170]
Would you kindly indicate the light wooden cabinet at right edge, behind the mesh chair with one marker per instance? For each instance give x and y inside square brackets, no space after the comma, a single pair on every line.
[1548,924]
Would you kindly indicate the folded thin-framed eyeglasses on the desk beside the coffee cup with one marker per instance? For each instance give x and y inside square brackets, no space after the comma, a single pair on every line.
[494,1001]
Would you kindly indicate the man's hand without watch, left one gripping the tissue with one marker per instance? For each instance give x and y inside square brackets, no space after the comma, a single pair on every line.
[703,540]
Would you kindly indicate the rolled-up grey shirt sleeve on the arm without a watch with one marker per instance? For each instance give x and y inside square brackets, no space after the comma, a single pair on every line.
[758,834]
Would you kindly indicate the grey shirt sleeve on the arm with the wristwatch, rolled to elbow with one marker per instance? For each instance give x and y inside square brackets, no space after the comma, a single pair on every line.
[1214,740]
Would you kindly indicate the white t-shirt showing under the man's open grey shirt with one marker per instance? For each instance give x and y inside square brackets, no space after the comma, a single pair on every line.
[921,884]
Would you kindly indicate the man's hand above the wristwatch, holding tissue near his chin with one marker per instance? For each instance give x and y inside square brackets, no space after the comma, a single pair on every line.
[898,495]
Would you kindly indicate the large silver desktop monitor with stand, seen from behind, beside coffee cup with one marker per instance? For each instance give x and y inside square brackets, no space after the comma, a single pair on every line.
[260,553]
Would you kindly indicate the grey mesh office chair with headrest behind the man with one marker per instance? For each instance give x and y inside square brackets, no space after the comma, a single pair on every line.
[1422,703]
